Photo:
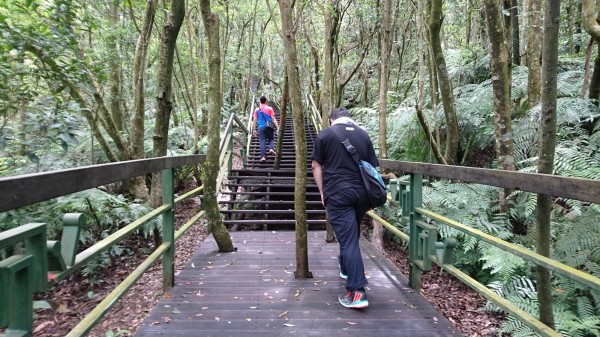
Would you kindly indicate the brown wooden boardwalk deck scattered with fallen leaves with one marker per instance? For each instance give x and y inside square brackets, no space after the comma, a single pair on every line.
[253,292]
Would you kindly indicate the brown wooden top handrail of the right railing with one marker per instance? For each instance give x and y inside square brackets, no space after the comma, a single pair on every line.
[548,184]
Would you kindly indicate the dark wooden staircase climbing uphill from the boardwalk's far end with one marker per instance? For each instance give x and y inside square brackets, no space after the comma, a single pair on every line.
[261,197]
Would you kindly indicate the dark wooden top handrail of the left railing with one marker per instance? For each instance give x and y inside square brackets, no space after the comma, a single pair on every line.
[28,189]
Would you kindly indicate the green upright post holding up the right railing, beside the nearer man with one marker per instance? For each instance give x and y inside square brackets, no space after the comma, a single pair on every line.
[415,201]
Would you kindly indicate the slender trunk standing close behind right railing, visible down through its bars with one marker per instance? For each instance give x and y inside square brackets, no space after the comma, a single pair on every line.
[546,155]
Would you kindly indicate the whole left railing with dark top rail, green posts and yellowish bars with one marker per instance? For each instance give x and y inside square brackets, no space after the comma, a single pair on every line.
[44,263]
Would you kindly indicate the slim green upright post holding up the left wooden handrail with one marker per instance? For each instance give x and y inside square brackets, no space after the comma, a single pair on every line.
[168,221]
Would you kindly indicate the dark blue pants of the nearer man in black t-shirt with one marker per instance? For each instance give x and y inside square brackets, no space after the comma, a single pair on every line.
[346,208]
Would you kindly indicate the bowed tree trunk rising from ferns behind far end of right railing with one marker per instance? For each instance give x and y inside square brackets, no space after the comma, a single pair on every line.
[435,25]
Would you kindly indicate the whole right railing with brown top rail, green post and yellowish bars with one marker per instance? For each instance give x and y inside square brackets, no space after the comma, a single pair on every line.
[422,239]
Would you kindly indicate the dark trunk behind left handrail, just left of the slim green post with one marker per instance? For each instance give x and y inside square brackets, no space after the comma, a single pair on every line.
[164,94]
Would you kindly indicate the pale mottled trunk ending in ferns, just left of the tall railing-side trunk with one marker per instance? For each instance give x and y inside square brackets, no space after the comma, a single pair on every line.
[534,39]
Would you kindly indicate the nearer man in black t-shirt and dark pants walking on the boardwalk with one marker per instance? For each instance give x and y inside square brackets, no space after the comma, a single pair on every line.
[342,192]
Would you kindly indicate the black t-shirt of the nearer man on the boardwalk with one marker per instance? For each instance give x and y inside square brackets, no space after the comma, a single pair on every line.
[340,171]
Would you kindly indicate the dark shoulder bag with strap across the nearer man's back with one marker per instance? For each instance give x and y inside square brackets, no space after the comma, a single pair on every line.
[371,178]
